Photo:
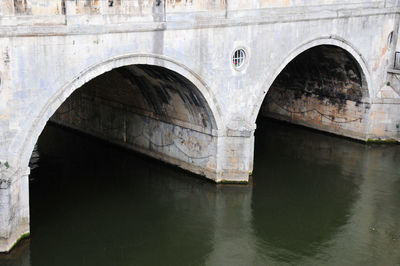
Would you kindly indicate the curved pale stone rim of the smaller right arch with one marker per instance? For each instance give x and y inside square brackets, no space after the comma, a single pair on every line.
[325,40]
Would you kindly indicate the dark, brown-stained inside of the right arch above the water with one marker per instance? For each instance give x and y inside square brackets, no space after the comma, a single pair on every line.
[324,88]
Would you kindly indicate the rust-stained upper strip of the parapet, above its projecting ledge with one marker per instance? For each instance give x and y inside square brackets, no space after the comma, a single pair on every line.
[144,7]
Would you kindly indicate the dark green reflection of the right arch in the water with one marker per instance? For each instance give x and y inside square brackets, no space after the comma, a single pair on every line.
[304,192]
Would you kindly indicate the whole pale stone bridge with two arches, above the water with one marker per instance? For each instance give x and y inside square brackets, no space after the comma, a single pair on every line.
[185,80]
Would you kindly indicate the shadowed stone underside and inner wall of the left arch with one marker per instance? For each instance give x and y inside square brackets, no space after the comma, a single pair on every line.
[147,108]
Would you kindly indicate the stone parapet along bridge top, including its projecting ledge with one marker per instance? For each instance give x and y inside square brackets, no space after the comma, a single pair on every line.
[58,12]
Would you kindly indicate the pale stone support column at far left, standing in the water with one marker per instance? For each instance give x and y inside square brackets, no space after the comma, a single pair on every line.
[14,207]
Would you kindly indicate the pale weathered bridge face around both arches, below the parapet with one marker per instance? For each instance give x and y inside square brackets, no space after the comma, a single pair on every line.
[43,64]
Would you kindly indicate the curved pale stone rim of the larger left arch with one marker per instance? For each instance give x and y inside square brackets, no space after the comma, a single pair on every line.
[96,70]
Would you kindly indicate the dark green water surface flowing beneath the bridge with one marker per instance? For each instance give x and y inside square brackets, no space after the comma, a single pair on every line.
[315,200]
